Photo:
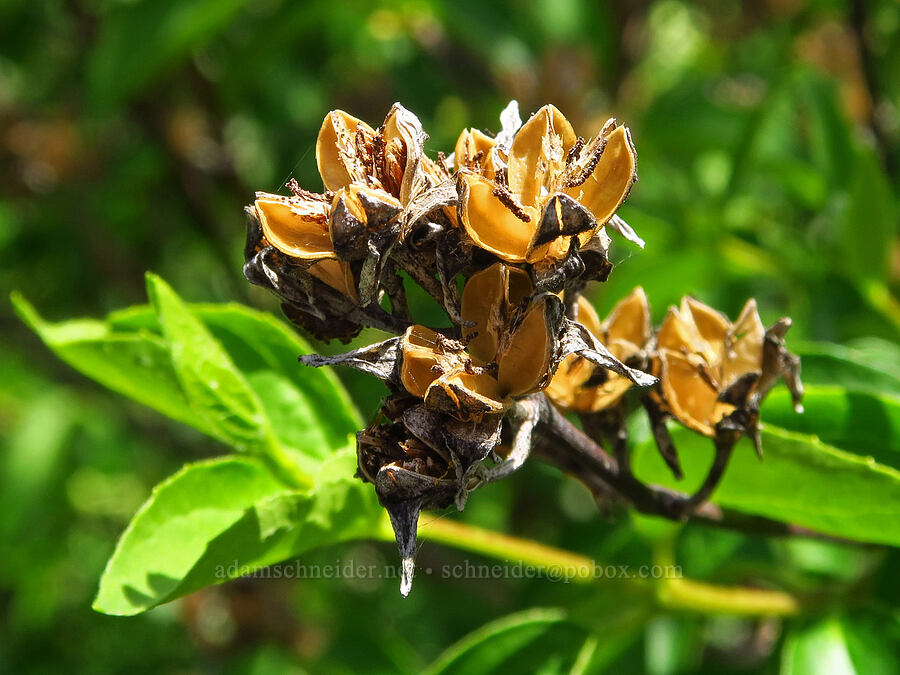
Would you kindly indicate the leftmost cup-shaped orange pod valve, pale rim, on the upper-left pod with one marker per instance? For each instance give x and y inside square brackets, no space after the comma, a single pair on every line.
[295,226]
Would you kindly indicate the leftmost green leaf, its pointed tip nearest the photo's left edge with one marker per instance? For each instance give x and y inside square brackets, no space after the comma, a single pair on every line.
[135,364]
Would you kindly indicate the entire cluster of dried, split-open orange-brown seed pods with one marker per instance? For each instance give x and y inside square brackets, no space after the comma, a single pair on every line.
[522,219]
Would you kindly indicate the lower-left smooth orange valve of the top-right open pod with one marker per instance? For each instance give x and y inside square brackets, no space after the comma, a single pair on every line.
[493,223]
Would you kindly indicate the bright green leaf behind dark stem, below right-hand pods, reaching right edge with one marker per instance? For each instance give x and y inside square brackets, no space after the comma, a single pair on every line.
[801,480]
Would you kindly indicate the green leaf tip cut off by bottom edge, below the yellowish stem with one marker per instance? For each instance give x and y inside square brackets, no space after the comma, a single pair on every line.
[486,648]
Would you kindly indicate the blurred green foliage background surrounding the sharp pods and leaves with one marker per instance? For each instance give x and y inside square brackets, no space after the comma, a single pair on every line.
[131,135]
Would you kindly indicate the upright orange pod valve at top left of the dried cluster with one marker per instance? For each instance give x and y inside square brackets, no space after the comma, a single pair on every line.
[338,150]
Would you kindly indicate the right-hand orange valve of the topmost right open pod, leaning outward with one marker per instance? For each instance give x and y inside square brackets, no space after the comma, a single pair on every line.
[607,186]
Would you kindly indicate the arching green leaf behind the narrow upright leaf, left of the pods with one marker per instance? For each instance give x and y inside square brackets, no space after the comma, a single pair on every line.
[258,342]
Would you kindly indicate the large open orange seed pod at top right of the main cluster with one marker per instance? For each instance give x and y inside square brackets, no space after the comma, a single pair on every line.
[551,188]
